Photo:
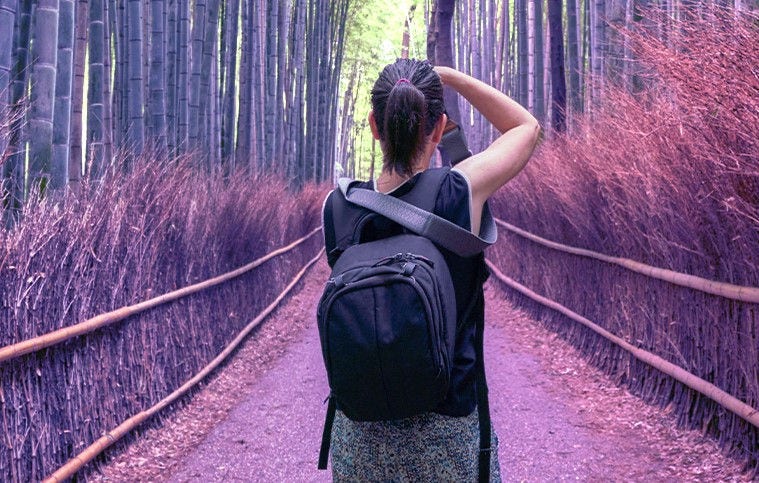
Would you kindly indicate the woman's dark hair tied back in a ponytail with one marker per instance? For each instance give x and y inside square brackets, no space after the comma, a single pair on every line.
[407,100]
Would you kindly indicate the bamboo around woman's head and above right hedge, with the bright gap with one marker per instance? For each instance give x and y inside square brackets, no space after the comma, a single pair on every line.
[555,57]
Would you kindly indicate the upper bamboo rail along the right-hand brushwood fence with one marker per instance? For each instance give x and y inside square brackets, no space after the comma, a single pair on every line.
[722,289]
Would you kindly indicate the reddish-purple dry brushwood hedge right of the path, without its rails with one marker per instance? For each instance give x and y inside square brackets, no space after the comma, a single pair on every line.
[669,178]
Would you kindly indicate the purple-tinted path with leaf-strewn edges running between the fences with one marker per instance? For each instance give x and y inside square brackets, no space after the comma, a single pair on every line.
[557,418]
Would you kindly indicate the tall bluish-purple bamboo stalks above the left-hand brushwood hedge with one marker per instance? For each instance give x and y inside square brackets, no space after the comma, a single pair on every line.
[243,84]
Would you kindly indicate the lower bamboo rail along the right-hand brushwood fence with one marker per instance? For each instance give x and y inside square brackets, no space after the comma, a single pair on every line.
[694,382]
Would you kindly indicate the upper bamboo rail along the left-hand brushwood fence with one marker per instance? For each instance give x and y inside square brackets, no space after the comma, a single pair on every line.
[102,320]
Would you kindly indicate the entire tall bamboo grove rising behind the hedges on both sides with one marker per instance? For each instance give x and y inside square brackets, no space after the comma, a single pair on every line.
[256,85]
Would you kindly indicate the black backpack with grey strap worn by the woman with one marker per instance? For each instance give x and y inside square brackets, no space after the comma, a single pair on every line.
[387,317]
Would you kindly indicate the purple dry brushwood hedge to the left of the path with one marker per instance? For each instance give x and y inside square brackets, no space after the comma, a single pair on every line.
[131,238]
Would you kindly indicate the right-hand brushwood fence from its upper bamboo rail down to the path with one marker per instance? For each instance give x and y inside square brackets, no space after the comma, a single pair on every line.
[672,338]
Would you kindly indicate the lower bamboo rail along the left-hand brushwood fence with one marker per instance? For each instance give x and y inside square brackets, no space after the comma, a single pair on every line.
[77,462]
